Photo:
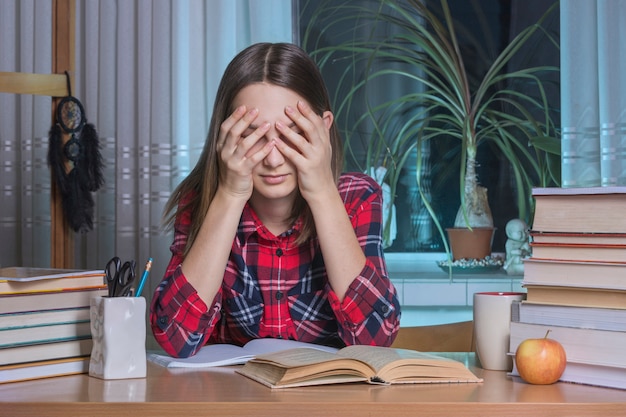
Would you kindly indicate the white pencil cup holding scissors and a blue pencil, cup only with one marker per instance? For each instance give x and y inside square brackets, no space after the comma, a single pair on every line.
[118,329]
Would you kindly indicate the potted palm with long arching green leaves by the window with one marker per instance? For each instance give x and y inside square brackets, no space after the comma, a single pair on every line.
[506,108]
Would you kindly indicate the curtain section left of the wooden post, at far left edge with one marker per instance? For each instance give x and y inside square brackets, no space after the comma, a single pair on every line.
[24,123]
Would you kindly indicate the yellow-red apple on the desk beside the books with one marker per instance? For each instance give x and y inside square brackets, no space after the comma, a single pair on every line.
[540,361]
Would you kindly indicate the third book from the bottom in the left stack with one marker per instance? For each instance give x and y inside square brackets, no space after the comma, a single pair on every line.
[44,334]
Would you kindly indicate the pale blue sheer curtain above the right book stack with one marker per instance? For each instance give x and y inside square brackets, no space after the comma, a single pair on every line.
[593,92]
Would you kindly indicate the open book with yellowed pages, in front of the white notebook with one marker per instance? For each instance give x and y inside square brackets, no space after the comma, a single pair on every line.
[373,364]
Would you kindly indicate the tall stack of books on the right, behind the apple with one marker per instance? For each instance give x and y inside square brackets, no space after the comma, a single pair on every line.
[576,282]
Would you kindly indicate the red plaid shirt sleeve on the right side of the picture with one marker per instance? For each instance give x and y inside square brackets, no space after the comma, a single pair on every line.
[369,314]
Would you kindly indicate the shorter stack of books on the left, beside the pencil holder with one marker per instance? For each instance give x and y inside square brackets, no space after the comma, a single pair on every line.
[44,321]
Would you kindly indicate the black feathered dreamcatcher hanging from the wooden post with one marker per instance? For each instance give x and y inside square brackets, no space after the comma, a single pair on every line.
[82,151]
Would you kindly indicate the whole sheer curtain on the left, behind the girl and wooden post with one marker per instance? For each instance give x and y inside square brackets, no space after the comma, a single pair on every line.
[146,73]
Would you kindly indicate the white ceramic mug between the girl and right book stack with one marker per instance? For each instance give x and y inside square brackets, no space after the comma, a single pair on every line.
[492,321]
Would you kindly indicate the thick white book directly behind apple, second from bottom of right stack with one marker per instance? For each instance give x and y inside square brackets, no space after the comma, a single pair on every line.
[592,346]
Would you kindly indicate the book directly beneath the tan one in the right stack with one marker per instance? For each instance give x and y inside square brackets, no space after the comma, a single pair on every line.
[569,316]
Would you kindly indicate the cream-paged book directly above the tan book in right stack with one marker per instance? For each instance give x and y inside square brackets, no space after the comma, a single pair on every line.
[606,275]
